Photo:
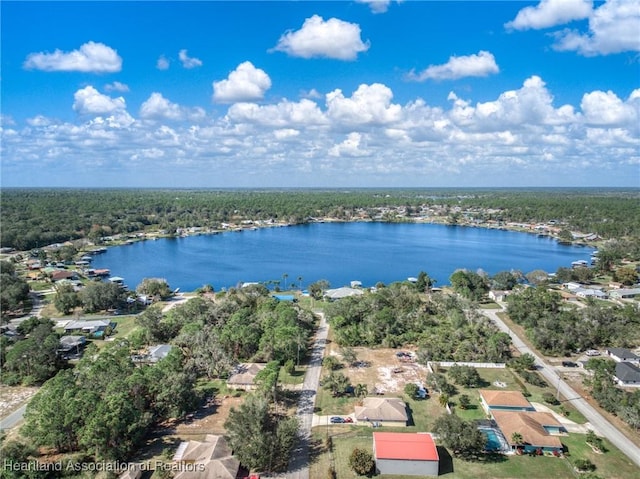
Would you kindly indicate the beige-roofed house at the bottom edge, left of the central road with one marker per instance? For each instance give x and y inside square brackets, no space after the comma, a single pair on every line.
[208,459]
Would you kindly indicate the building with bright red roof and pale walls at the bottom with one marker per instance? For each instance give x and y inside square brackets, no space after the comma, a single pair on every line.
[405,454]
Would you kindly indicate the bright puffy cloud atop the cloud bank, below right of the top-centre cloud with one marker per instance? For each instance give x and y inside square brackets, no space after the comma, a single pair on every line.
[369,104]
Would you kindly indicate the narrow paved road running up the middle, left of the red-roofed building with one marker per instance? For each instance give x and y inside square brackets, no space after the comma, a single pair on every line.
[299,464]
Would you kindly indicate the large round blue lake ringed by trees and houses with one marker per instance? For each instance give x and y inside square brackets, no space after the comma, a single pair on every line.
[337,252]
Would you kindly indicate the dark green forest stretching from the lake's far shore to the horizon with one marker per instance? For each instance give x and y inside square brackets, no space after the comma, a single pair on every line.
[33,218]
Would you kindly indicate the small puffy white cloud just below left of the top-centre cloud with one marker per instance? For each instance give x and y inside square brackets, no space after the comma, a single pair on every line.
[245,83]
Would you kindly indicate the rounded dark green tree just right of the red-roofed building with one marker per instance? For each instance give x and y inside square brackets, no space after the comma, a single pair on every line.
[462,437]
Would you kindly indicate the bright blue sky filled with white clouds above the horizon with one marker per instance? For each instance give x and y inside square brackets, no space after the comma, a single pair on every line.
[320,94]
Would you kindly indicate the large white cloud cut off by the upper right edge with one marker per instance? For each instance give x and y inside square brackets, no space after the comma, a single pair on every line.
[614,27]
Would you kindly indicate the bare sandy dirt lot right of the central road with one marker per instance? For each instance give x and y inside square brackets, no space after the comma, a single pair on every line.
[382,371]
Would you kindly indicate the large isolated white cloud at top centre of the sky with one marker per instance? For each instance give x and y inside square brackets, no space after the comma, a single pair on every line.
[333,38]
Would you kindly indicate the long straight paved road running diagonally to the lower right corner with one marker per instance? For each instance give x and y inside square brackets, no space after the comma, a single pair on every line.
[597,420]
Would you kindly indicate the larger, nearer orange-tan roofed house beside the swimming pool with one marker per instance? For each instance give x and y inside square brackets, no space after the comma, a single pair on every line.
[539,430]
